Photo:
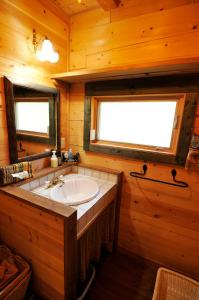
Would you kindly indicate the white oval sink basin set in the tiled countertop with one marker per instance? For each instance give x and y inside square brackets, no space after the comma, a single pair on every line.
[75,191]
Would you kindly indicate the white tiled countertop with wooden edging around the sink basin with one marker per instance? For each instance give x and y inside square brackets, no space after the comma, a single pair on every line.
[107,180]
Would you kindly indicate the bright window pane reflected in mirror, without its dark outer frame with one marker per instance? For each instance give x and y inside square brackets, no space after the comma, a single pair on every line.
[26,123]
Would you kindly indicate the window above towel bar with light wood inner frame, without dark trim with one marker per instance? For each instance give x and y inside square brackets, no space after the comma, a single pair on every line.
[142,122]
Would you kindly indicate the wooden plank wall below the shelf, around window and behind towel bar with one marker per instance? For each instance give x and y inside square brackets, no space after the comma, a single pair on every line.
[158,222]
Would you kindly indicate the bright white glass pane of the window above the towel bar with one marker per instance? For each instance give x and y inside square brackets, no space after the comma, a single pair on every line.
[147,123]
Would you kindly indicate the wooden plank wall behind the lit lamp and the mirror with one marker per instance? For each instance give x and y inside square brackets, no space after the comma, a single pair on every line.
[17,58]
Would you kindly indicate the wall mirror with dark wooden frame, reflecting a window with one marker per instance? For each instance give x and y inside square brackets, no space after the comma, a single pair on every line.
[32,120]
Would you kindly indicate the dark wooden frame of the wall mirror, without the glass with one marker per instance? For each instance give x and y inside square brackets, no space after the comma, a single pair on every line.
[10,114]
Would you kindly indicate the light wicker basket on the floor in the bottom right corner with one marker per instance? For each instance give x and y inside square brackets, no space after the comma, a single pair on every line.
[173,286]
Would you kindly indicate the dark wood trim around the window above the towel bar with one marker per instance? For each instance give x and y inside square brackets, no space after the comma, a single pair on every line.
[188,84]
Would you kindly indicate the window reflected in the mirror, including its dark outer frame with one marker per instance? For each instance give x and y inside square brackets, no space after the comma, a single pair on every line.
[35,119]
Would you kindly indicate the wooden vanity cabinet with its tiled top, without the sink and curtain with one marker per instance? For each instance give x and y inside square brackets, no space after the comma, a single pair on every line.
[46,233]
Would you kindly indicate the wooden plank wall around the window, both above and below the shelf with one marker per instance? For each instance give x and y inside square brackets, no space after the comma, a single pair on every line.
[158,222]
